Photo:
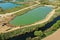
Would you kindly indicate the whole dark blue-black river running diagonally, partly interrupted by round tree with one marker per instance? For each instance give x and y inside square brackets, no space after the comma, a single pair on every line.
[31,34]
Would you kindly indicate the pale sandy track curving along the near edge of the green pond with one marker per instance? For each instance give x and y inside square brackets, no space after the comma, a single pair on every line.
[40,22]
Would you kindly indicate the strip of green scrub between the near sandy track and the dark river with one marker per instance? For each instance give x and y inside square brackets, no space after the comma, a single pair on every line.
[4,36]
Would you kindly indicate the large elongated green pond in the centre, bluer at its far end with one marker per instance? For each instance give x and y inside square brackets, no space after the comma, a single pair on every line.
[32,16]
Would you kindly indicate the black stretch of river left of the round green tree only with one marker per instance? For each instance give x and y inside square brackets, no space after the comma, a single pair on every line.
[23,36]
